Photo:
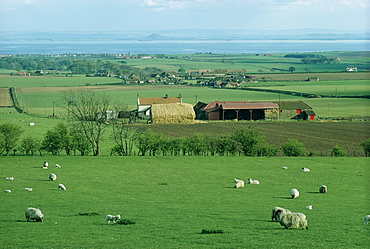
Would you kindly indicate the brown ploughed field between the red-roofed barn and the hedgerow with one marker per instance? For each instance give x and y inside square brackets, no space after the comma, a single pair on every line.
[317,137]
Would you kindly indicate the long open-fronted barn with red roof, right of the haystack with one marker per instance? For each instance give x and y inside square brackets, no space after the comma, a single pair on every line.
[236,110]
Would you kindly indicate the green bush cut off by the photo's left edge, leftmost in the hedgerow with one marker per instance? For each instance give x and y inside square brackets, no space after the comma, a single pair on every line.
[9,136]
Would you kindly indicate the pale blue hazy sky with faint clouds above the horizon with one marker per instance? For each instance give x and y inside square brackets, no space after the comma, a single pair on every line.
[108,15]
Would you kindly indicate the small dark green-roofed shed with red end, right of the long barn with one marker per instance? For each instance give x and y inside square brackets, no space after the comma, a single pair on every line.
[295,110]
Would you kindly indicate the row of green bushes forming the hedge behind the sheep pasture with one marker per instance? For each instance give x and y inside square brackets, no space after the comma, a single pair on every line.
[144,142]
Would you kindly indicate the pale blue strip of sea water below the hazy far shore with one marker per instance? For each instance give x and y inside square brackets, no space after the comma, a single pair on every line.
[180,47]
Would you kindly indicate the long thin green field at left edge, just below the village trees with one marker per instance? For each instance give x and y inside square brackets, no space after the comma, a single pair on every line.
[62,81]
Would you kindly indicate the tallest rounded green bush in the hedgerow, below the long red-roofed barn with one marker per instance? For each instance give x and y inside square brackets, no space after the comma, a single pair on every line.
[249,140]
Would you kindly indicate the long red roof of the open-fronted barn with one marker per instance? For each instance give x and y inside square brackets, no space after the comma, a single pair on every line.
[227,105]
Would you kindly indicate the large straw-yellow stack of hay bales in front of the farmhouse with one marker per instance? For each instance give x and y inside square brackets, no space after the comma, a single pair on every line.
[178,113]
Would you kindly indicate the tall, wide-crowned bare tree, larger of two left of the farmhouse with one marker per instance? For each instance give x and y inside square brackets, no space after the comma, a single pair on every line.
[89,112]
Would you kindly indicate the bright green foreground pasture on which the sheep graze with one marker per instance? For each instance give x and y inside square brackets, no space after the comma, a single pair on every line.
[171,200]
